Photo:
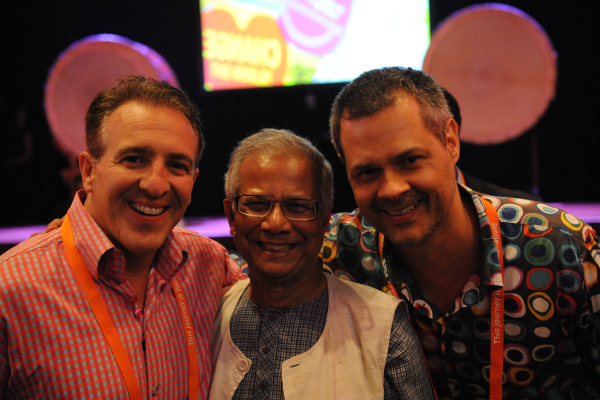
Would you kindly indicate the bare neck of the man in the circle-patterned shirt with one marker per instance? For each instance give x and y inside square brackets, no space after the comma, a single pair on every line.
[443,263]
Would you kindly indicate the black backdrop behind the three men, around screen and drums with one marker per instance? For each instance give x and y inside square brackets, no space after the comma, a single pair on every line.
[34,33]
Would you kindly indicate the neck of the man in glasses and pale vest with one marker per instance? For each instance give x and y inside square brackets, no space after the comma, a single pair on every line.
[282,293]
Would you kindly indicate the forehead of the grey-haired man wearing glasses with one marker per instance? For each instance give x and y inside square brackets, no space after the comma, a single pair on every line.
[278,173]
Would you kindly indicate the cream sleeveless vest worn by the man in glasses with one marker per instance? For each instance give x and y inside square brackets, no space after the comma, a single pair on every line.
[347,362]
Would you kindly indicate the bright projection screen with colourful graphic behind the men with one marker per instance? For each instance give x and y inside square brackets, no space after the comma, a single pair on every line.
[265,43]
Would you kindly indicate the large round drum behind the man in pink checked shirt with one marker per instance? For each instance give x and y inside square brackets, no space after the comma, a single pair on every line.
[85,68]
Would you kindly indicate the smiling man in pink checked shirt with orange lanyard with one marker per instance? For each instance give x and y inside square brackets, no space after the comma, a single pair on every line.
[118,303]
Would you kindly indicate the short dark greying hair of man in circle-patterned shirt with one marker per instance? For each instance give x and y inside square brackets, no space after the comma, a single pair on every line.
[377,89]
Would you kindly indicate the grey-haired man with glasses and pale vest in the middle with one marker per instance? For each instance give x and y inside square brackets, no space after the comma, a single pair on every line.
[292,330]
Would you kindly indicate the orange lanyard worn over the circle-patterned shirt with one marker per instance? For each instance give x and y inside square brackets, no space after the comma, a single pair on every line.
[497,308]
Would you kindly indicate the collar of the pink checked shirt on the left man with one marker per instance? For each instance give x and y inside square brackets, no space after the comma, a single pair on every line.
[104,260]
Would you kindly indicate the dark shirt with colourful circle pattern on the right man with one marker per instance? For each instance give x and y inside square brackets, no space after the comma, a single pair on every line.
[551,301]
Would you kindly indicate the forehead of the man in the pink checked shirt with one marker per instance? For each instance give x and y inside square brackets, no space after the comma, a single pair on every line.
[157,126]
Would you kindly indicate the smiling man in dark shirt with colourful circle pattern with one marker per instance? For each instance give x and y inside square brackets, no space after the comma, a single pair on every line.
[420,235]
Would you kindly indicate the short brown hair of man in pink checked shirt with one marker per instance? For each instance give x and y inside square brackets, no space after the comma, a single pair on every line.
[146,91]
